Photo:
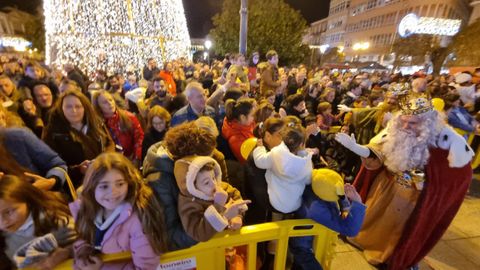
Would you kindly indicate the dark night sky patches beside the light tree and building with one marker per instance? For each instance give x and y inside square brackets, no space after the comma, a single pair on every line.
[200,12]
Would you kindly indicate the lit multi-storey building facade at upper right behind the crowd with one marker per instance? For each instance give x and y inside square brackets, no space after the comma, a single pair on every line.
[366,29]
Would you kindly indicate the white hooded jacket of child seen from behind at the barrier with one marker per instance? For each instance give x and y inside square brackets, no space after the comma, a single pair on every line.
[287,174]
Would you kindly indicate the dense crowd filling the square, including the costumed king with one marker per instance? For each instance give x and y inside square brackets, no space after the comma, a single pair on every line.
[163,158]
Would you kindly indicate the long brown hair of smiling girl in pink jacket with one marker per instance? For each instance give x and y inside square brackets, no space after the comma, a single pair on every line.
[139,195]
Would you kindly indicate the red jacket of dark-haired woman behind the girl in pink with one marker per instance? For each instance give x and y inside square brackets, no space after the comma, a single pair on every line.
[131,140]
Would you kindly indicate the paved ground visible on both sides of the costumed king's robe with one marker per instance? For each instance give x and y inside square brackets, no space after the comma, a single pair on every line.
[458,249]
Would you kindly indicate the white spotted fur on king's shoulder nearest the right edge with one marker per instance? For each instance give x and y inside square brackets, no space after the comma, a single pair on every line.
[460,153]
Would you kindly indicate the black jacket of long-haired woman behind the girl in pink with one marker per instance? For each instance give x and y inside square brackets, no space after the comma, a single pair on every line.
[75,146]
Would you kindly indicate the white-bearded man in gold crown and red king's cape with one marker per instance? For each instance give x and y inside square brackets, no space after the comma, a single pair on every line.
[414,177]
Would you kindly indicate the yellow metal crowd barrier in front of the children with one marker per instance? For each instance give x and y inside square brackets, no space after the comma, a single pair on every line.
[211,254]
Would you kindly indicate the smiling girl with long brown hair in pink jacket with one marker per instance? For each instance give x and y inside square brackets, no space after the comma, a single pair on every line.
[117,212]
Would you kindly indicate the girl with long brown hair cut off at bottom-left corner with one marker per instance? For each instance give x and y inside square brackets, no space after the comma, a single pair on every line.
[32,220]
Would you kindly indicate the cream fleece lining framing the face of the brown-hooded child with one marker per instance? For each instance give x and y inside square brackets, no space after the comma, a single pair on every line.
[195,165]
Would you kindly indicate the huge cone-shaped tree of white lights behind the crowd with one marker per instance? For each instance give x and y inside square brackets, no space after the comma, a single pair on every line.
[114,35]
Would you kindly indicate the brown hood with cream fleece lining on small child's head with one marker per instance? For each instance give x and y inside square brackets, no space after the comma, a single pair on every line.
[186,170]
